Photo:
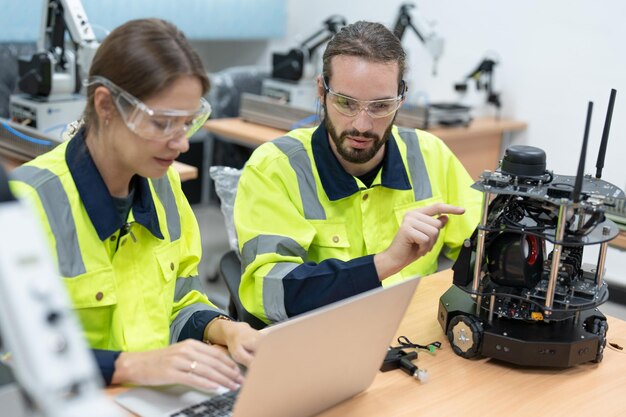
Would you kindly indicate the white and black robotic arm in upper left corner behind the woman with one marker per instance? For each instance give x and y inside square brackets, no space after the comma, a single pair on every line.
[56,69]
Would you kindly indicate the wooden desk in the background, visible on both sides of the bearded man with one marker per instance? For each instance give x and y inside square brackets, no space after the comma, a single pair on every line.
[477,146]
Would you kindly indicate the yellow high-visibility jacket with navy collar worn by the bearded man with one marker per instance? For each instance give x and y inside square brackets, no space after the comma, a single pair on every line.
[308,230]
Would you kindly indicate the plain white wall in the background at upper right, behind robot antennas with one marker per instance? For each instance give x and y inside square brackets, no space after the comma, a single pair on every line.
[555,56]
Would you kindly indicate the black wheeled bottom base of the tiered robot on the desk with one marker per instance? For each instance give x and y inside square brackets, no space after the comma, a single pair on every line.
[561,343]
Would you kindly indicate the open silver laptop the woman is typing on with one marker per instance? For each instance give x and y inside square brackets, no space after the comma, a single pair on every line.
[302,366]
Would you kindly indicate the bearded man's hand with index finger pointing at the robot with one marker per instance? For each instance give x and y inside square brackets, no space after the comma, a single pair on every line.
[415,238]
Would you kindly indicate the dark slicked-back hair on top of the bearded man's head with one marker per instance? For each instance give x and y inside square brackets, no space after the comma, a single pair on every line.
[368,40]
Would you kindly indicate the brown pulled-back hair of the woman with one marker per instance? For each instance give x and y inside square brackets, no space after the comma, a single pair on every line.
[143,57]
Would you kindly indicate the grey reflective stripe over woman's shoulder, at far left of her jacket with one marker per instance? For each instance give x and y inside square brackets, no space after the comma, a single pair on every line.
[59,213]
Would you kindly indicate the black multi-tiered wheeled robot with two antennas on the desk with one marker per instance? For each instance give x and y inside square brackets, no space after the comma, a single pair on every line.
[513,298]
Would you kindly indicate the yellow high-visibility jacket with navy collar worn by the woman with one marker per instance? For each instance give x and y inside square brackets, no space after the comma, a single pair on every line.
[133,282]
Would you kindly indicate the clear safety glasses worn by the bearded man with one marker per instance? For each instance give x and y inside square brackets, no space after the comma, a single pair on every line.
[377,109]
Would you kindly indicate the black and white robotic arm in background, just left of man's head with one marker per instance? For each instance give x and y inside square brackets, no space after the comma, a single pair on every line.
[291,66]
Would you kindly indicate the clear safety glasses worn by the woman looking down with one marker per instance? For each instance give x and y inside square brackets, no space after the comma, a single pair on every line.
[152,123]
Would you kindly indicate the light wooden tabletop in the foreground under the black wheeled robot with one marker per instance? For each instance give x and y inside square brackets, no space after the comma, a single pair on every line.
[484,387]
